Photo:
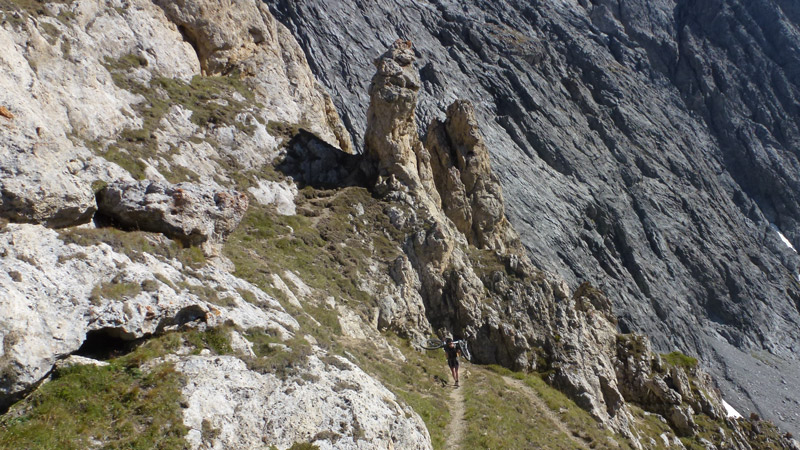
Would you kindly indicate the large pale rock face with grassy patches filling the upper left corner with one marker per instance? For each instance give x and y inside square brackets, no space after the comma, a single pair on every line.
[72,89]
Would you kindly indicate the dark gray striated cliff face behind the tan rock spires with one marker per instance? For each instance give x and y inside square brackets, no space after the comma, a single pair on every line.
[646,147]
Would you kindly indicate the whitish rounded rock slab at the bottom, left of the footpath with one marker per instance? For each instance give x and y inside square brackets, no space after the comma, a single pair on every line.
[342,408]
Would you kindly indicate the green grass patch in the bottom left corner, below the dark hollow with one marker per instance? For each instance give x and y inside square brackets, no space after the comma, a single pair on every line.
[116,407]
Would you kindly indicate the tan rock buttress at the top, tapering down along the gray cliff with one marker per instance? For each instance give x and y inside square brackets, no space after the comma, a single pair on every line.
[242,35]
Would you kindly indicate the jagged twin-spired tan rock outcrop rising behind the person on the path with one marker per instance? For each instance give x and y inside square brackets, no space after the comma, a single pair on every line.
[459,230]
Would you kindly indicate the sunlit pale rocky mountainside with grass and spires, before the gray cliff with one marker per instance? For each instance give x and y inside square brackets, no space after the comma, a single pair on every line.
[193,256]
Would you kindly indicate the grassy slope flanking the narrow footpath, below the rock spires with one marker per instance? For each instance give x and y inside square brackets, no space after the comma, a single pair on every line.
[267,244]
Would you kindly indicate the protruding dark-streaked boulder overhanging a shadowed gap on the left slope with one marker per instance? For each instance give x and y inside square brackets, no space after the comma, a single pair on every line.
[191,213]
